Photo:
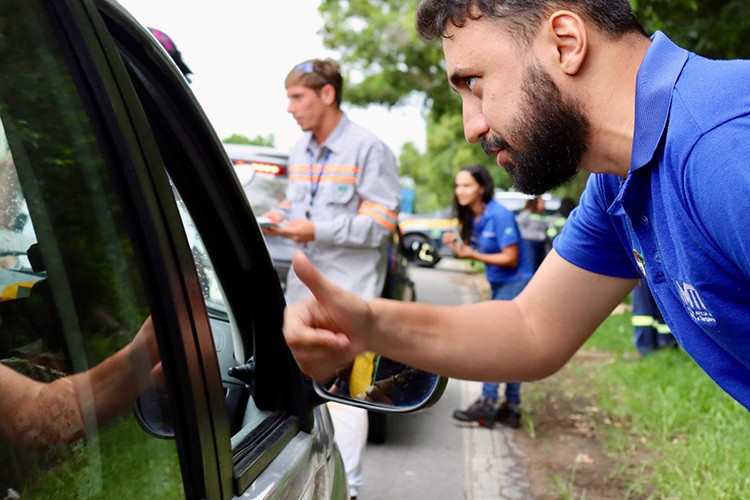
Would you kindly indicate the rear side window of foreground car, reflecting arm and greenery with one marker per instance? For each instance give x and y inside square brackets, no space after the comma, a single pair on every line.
[72,296]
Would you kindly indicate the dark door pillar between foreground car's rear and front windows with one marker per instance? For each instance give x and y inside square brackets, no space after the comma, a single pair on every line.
[166,274]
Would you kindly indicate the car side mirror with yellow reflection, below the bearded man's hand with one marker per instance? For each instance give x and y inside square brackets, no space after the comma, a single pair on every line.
[381,384]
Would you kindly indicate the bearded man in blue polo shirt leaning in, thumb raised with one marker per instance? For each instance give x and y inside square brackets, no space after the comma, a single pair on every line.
[548,87]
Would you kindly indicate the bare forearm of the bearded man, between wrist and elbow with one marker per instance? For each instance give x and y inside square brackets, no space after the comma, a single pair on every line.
[484,341]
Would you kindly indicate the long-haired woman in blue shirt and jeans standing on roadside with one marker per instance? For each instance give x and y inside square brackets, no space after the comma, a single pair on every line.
[495,240]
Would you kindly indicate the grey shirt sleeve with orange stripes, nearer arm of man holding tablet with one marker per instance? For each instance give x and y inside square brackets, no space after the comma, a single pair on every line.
[379,196]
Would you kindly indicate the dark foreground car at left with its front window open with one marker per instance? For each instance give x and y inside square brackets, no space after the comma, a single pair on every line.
[119,209]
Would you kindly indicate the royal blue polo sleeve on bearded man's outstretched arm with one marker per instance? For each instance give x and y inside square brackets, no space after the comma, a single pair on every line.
[589,238]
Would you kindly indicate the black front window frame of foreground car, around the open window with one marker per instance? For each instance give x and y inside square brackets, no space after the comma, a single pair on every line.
[225,220]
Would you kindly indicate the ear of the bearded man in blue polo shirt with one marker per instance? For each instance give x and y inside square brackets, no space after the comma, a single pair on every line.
[569,34]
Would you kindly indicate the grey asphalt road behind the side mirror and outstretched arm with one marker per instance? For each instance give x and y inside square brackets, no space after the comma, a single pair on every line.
[424,455]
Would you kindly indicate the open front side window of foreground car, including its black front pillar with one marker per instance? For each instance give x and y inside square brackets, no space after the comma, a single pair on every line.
[262,386]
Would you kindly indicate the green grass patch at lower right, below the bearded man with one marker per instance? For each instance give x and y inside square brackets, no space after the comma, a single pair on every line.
[667,406]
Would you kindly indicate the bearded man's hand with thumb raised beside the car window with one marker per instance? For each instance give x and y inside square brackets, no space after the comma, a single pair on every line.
[326,332]
